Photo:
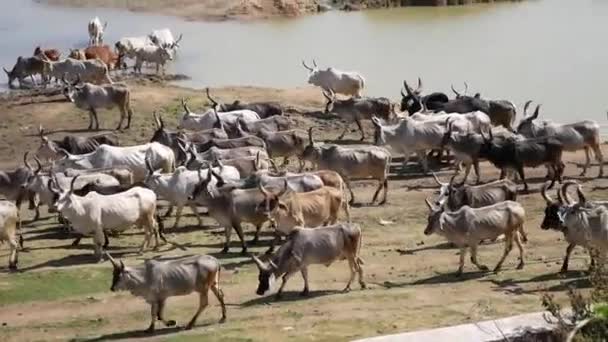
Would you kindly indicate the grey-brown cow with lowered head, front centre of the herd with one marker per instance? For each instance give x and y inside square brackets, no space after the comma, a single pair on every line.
[306,247]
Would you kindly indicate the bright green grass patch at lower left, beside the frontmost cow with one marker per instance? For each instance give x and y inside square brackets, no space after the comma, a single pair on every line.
[52,285]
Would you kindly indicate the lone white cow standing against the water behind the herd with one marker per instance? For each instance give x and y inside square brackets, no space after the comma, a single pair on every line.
[341,82]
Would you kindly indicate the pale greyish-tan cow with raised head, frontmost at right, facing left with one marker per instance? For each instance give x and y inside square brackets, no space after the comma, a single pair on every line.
[467,226]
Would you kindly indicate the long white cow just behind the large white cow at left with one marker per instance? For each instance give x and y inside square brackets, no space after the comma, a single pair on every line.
[132,157]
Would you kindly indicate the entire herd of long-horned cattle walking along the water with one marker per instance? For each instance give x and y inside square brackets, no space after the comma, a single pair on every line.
[223,159]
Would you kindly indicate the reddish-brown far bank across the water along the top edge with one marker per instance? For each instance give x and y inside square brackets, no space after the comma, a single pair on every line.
[252,10]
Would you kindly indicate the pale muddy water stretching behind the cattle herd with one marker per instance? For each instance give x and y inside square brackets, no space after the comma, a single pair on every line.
[551,51]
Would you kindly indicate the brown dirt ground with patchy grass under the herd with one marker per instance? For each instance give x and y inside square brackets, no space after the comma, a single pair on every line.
[59,294]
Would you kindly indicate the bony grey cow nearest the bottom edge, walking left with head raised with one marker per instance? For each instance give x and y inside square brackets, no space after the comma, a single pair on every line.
[156,281]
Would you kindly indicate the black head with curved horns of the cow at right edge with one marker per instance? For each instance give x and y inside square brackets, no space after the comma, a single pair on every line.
[556,211]
